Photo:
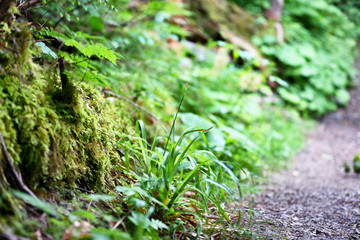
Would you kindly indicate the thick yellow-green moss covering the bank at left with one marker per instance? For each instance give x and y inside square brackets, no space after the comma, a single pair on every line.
[51,141]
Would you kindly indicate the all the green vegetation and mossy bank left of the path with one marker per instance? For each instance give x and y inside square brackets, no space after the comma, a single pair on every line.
[144,119]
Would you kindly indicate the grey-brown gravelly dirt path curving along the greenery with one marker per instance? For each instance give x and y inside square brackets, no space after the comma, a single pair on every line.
[315,198]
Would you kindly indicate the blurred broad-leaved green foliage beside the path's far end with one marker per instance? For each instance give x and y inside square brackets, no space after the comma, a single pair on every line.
[317,72]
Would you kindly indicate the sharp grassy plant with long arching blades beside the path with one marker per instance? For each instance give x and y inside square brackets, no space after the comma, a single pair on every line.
[167,174]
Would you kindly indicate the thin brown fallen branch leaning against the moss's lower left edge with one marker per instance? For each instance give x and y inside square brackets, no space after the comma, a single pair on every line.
[14,177]
